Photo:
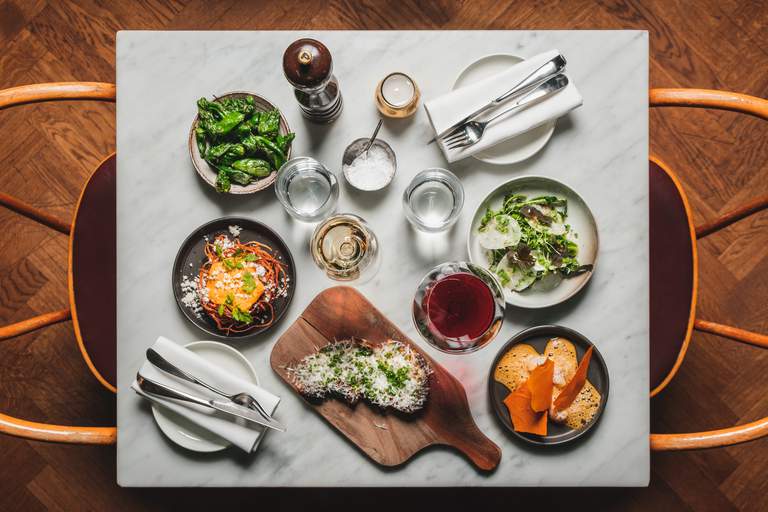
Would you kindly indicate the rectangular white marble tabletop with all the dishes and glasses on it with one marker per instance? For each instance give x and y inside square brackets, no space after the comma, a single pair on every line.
[372,240]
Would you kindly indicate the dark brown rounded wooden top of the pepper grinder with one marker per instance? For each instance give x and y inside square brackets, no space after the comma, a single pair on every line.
[307,63]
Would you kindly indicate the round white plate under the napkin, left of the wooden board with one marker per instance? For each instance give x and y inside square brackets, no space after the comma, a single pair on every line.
[182,431]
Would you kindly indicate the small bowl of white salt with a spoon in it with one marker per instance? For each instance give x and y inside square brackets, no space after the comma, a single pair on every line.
[369,170]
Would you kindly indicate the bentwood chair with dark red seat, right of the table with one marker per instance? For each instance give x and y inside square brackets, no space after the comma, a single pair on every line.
[674,271]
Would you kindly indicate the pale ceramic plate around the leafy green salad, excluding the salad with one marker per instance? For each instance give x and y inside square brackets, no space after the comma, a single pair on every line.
[579,217]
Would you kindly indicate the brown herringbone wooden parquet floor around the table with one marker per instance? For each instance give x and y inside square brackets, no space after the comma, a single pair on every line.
[48,150]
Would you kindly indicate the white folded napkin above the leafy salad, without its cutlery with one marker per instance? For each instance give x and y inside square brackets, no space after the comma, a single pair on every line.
[453,106]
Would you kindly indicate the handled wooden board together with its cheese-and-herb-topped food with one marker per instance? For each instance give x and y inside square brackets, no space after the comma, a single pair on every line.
[388,428]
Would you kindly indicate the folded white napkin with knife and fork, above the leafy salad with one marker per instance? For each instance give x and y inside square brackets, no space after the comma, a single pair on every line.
[471,119]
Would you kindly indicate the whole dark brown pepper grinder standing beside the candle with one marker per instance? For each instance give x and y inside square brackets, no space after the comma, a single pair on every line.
[308,66]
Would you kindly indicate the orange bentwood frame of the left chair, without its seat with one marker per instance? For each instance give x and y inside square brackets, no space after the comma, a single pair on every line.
[8,424]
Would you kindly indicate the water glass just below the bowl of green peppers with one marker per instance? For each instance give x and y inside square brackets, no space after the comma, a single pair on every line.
[307,189]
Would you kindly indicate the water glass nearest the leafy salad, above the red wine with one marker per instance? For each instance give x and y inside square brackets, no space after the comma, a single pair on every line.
[433,200]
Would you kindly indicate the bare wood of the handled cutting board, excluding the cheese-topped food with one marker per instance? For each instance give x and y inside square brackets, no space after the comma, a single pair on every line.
[388,438]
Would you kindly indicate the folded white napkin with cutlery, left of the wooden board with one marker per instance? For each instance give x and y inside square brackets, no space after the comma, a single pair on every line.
[205,394]
